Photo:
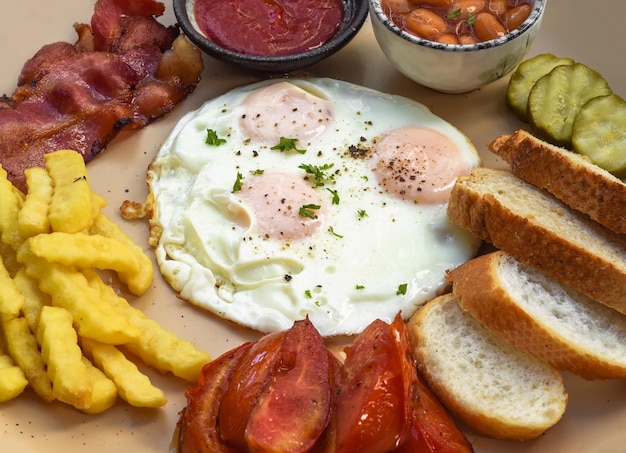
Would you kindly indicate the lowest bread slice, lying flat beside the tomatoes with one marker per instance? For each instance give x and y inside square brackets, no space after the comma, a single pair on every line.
[493,387]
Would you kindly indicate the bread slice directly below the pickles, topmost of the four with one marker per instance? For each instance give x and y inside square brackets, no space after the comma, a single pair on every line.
[567,175]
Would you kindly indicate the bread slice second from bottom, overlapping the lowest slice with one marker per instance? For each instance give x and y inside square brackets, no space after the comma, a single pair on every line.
[543,317]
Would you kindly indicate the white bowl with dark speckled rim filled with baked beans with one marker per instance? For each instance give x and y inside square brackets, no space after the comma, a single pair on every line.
[455,46]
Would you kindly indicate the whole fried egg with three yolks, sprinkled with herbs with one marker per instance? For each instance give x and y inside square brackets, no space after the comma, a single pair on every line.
[317,197]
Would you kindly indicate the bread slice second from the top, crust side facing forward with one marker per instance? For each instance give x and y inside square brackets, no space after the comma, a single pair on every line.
[539,230]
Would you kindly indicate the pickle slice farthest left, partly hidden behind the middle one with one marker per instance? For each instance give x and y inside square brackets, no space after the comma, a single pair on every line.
[525,76]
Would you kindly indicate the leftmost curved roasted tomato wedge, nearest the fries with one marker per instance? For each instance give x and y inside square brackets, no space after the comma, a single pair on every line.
[197,425]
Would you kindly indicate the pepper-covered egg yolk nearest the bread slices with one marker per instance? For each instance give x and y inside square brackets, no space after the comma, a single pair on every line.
[417,164]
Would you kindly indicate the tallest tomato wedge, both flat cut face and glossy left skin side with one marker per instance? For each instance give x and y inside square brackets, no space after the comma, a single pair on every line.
[279,399]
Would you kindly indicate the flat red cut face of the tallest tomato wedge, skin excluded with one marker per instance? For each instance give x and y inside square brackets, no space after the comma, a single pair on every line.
[295,405]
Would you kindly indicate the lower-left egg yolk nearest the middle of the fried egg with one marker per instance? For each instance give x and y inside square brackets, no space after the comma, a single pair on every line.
[284,206]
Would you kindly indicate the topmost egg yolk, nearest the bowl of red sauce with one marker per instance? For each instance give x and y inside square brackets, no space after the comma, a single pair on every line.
[284,110]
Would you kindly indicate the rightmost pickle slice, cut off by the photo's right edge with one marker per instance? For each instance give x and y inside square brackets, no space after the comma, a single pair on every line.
[599,132]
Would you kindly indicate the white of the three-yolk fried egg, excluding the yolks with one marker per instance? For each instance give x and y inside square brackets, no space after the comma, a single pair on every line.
[352,270]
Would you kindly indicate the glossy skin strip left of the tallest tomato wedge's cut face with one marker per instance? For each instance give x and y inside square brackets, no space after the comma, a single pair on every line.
[248,380]
